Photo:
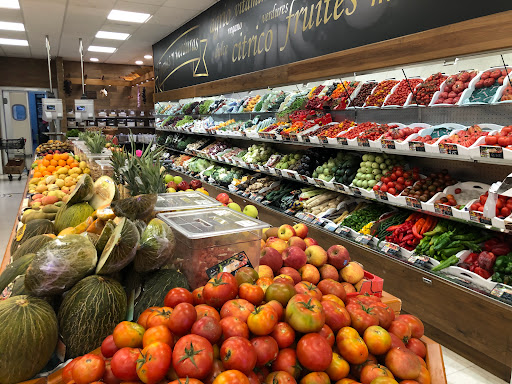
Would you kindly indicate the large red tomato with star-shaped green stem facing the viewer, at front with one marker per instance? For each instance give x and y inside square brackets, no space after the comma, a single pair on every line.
[192,357]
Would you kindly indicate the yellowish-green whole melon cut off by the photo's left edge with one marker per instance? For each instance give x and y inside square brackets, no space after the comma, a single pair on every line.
[28,336]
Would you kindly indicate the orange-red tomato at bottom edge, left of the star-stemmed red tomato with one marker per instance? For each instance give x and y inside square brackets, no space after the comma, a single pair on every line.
[154,362]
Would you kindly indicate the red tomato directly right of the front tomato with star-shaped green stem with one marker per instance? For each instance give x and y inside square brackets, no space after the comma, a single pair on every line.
[238,353]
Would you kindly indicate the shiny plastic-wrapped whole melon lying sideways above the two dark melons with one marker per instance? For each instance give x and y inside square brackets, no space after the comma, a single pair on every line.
[60,264]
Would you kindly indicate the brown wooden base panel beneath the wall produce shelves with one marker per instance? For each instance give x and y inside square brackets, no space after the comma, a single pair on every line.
[485,346]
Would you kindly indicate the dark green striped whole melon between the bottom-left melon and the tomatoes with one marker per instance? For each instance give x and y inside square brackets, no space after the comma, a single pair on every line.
[89,313]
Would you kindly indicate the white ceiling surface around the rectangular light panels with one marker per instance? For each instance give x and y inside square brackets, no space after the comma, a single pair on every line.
[65,21]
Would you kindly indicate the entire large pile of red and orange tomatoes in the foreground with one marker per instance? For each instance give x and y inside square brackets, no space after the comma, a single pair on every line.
[247,329]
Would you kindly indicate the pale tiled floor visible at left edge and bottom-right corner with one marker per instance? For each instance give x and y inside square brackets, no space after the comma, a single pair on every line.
[458,369]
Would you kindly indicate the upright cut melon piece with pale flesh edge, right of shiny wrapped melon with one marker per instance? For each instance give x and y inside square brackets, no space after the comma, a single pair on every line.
[120,249]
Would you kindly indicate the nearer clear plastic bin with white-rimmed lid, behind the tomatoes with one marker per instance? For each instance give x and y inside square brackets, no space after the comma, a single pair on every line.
[205,237]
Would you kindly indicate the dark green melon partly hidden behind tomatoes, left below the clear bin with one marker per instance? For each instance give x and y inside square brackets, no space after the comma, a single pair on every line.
[156,287]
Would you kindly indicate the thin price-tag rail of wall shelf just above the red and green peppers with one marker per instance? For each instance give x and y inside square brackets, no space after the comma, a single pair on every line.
[277,174]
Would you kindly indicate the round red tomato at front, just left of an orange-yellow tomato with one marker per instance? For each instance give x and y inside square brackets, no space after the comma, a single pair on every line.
[314,352]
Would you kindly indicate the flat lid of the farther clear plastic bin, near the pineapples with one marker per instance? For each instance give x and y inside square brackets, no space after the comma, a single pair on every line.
[183,201]
